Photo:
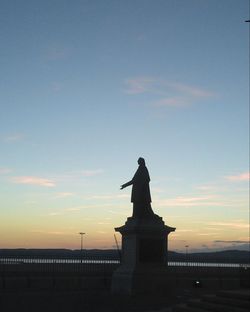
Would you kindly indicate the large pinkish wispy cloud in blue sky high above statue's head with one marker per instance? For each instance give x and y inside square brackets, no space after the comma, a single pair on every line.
[168,93]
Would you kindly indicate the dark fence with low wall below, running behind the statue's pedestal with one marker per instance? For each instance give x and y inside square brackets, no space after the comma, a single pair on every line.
[48,272]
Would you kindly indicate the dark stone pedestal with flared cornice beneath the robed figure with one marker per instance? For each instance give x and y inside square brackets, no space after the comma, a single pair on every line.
[143,266]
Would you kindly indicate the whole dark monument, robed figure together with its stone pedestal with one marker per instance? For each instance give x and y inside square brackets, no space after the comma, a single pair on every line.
[144,256]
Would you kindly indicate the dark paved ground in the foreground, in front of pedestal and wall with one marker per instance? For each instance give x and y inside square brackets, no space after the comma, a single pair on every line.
[78,301]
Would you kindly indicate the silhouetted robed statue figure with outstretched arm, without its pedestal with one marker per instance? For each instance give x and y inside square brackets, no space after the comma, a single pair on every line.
[140,196]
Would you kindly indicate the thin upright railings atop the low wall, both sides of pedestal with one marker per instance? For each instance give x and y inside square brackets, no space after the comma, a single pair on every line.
[102,263]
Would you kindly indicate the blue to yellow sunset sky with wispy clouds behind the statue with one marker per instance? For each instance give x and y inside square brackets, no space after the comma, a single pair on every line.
[87,87]
